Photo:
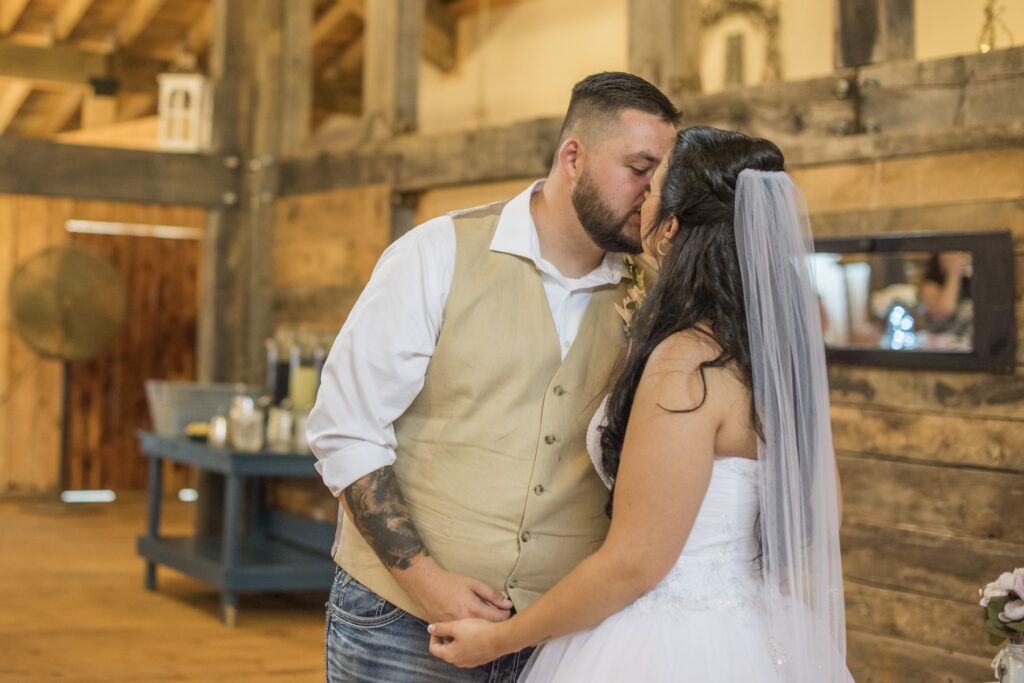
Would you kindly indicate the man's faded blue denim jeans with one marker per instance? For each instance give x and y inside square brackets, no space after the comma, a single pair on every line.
[369,641]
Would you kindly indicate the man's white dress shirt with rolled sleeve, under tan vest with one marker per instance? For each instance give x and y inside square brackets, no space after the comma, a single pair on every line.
[377,365]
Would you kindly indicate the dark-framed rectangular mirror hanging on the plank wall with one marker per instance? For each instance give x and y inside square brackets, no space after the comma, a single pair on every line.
[934,301]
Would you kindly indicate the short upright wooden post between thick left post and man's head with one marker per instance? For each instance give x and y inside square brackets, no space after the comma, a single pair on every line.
[391,75]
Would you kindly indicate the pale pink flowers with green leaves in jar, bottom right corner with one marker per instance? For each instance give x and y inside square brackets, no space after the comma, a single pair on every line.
[1004,604]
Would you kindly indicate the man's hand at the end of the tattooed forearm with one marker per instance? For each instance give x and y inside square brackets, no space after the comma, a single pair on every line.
[446,596]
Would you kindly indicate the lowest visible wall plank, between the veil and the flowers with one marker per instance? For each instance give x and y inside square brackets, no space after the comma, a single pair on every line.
[875,659]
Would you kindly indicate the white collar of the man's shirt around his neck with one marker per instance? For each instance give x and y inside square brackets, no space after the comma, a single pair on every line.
[517,235]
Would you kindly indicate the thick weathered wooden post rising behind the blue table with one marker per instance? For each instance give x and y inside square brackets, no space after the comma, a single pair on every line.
[262,70]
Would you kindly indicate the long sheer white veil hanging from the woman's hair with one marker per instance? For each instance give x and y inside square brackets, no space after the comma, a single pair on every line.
[799,517]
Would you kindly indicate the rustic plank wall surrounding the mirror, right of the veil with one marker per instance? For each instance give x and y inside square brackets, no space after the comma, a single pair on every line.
[932,463]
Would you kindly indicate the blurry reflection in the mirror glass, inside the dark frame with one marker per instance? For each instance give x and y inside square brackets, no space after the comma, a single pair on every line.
[918,302]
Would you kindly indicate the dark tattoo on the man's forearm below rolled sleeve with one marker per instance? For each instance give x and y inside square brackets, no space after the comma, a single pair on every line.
[382,518]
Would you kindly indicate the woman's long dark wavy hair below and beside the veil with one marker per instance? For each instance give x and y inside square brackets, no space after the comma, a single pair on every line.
[700,285]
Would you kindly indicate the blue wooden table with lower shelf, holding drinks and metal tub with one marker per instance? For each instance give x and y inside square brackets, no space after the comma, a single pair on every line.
[278,552]
